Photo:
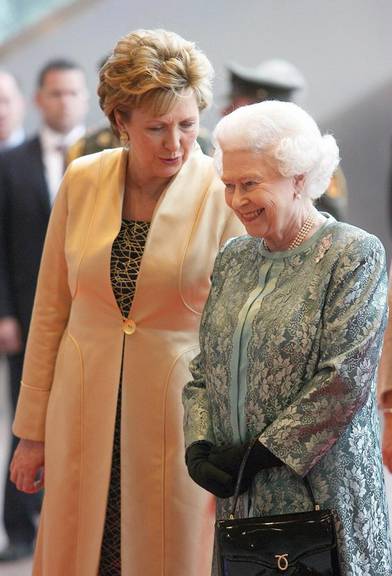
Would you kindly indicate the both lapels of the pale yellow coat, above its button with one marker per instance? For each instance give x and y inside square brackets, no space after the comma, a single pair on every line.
[171,225]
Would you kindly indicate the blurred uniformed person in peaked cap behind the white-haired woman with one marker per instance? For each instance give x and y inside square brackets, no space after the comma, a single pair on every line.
[278,79]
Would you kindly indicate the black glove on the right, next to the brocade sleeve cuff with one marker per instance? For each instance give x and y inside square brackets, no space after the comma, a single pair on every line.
[229,460]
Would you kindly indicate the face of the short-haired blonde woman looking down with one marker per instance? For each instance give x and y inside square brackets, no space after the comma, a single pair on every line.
[159,145]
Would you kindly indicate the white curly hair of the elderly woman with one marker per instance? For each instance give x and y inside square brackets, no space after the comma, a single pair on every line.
[286,135]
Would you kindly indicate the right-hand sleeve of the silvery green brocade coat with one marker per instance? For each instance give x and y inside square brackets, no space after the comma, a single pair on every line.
[354,319]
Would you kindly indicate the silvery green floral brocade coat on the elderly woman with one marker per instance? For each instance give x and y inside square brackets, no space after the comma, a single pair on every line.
[290,344]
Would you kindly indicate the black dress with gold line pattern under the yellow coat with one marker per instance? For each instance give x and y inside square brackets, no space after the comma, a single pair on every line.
[127,252]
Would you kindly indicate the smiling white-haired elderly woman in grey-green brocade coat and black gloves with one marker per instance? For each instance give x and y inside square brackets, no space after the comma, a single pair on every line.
[290,341]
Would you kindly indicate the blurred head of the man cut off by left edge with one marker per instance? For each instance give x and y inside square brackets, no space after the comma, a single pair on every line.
[12,109]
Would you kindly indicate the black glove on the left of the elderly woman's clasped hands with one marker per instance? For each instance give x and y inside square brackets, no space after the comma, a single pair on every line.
[205,474]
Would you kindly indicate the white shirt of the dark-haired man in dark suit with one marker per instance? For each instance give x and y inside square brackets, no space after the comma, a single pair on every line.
[53,158]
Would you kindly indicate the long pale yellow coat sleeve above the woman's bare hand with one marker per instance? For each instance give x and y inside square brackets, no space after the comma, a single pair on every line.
[49,319]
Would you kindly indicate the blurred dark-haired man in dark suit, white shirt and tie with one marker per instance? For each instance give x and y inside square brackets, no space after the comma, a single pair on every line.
[30,175]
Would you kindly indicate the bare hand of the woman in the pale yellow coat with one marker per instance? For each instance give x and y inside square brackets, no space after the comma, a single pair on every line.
[27,466]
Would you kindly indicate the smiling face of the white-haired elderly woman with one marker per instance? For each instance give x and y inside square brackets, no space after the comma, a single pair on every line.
[264,200]
